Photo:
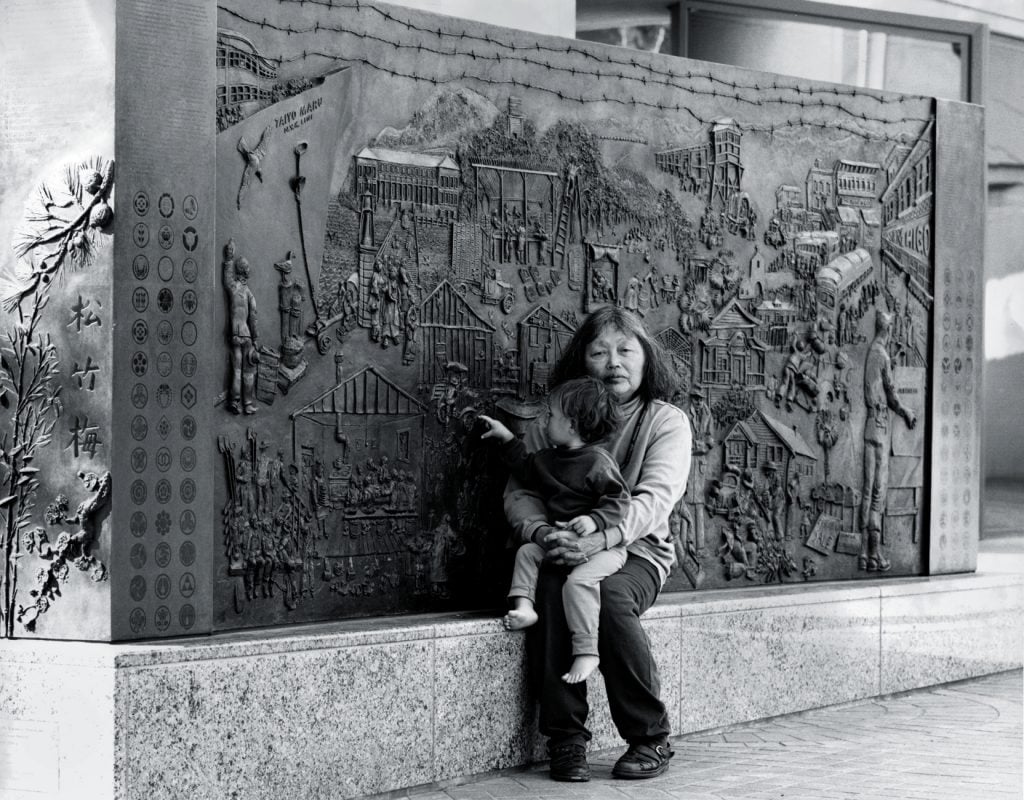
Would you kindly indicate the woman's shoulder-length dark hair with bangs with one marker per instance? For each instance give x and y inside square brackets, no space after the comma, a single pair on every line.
[659,381]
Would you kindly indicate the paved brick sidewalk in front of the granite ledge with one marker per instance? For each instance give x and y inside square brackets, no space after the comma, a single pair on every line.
[958,742]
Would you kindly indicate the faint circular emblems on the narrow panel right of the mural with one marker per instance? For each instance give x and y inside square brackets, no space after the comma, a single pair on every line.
[959,360]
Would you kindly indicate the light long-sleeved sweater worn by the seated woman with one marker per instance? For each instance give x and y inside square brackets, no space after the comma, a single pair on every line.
[656,471]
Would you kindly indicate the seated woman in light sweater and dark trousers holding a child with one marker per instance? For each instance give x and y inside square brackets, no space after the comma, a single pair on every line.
[653,449]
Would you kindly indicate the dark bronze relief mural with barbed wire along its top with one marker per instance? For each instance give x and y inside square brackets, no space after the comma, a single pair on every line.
[450,247]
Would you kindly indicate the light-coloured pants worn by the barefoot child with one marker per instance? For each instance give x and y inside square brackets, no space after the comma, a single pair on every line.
[581,595]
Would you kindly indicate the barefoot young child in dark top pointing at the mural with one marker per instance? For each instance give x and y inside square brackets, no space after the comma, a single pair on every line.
[584,492]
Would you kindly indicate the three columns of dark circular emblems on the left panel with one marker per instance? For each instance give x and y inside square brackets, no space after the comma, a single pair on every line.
[163,429]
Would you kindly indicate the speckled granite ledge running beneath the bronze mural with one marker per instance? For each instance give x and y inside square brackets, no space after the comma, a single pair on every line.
[291,712]
